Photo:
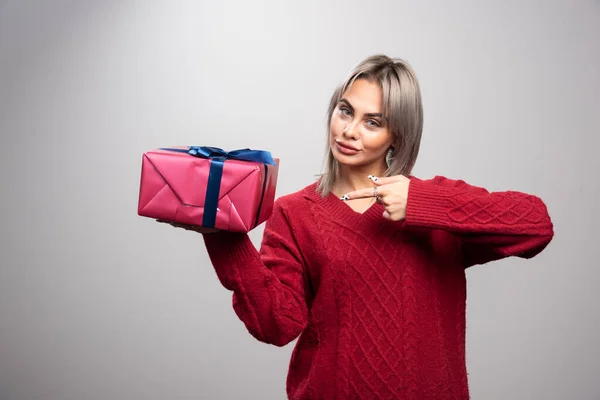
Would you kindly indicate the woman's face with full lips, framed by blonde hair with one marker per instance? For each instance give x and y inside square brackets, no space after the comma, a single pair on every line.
[359,136]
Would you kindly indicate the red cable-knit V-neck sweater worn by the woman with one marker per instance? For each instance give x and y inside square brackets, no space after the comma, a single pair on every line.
[379,306]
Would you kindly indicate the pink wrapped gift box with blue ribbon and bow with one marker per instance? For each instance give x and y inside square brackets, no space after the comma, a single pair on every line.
[207,186]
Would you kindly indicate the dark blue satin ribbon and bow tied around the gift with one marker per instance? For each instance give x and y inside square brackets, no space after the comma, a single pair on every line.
[217,158]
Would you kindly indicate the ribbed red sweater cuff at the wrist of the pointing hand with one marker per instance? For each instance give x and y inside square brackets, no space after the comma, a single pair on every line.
[428,205]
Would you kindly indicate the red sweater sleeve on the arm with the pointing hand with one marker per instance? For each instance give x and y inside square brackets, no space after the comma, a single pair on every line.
[490,225]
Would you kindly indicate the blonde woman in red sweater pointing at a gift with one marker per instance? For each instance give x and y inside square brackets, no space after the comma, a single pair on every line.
[367,265]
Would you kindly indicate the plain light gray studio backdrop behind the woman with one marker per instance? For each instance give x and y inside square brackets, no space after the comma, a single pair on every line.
[98,303]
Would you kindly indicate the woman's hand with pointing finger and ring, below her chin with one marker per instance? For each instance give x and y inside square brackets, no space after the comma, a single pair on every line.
[391,192]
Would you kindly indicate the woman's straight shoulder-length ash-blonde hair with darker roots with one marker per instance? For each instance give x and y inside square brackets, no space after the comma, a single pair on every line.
[402,107]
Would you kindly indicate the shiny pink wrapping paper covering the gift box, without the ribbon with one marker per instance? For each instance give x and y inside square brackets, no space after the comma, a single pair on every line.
[173,188]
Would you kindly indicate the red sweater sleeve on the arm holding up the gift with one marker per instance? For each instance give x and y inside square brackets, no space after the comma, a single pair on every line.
[267,285]
